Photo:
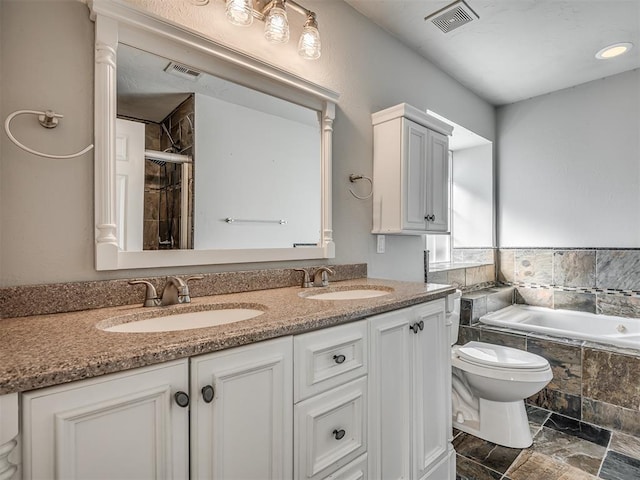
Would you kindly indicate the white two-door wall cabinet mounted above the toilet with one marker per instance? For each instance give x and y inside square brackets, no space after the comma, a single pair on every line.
[410,172]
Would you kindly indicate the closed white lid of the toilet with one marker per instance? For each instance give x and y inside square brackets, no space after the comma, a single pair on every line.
[498,356]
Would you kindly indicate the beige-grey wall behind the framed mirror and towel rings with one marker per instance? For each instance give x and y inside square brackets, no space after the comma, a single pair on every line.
[46,223]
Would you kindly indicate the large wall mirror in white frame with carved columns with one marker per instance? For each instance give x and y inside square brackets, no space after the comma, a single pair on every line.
[203,155]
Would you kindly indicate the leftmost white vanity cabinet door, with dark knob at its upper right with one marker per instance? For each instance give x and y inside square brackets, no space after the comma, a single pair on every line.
[121,426]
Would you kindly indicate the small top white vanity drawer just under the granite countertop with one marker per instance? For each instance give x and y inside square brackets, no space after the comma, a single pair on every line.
[327,358]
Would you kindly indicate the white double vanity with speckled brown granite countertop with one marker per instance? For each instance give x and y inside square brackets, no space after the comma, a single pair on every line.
[358,394]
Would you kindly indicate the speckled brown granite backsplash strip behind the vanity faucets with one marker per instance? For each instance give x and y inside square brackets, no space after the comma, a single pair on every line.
[28,300]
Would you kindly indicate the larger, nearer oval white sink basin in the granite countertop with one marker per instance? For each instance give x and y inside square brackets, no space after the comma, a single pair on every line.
[186,321]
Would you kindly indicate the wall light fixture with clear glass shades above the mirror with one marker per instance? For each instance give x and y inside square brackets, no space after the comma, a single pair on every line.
[276,28]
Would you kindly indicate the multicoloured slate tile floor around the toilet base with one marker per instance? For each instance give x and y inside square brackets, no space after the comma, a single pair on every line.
[563,449]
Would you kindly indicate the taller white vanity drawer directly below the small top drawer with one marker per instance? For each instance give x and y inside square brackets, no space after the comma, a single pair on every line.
[331,430]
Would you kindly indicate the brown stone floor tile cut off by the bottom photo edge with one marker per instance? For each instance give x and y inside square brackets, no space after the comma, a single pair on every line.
[531,465]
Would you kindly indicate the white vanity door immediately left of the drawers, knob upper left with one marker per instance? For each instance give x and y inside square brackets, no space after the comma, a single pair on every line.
[242,413]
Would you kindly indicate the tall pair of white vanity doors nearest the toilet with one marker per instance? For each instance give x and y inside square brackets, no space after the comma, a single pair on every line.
[409,385]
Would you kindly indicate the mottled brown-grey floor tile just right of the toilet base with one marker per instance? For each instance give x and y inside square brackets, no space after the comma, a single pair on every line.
[569,450]
